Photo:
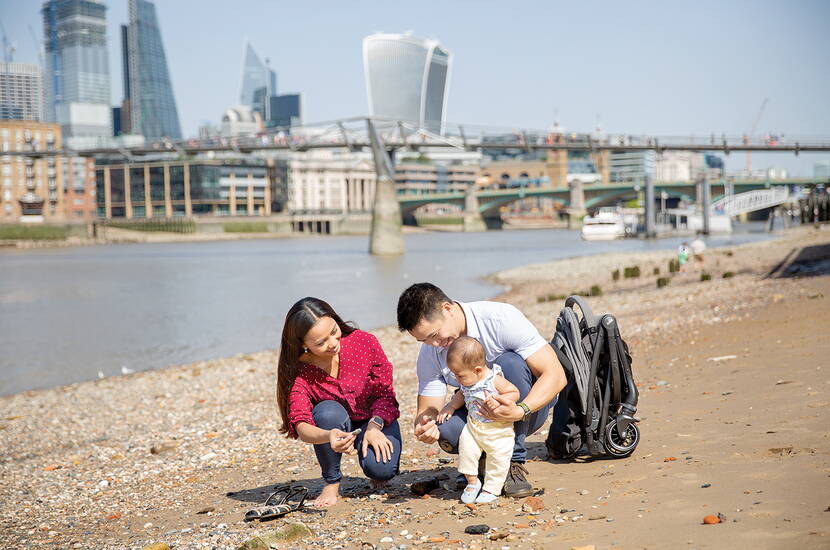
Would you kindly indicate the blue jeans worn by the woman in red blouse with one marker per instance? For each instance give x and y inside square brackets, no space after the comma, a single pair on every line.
[329,415]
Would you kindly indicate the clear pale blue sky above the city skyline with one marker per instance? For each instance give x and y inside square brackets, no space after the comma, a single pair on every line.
[660,68]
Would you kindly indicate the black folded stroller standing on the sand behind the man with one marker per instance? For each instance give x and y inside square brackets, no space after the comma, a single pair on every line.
[595,412]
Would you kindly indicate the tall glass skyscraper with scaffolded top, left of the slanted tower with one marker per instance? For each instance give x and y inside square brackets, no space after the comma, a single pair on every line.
[77,78]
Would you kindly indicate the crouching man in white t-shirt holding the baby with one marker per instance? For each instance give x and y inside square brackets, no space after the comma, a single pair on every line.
[509,339]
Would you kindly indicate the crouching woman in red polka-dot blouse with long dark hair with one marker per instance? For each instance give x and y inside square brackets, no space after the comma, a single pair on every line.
[332,379]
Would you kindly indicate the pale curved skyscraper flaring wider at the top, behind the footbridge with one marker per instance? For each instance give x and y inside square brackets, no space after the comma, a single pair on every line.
[407,78]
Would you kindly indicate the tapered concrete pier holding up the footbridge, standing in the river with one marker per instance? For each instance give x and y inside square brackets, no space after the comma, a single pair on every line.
[385,238]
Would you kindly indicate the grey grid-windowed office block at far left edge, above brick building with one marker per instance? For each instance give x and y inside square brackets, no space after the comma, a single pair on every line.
[21,92]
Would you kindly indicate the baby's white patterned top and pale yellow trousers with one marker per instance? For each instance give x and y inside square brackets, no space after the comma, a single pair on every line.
[480,434]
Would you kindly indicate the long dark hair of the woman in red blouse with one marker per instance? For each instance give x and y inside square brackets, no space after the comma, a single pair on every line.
[298,321]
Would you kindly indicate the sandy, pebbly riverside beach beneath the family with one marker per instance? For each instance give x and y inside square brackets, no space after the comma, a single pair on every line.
[734,378]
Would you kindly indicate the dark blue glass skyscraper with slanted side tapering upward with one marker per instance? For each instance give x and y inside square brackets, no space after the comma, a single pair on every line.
[152,106]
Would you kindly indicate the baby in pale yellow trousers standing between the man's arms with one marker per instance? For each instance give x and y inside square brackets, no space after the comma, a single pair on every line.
[465,358]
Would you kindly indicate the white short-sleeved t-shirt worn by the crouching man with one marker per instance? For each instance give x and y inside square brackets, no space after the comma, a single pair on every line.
[499,327]
